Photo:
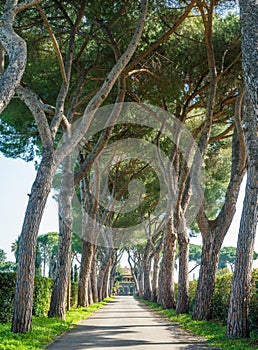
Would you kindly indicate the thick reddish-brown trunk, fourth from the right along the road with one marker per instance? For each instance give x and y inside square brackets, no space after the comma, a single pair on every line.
[166,295]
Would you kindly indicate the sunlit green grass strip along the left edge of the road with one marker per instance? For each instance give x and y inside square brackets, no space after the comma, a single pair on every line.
[44,329]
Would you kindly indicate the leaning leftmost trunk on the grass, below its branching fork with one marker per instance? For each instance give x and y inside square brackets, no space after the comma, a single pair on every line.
[23,300]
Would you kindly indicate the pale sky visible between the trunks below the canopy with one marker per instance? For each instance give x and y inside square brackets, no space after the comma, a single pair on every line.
[16,178]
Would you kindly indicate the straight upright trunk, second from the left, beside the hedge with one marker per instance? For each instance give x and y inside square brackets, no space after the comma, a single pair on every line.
[59,293]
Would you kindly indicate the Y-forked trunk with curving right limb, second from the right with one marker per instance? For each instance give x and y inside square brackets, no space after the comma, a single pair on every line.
[214,231]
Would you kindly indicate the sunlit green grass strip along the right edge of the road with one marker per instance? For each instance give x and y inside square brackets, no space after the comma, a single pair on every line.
[213,331]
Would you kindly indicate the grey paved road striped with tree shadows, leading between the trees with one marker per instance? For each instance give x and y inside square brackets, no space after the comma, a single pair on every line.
[127,324]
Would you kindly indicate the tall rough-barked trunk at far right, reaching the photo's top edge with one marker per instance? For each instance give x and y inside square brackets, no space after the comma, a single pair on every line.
[237,325]
